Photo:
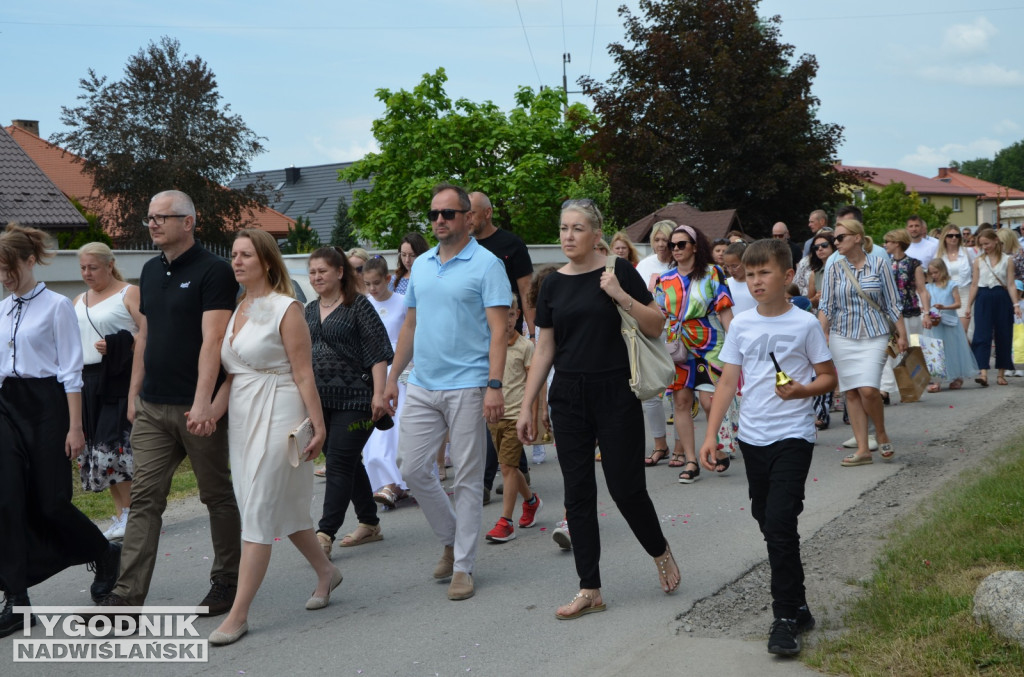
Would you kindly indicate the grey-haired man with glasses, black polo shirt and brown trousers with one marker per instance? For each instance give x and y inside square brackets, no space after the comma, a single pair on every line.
[188,295]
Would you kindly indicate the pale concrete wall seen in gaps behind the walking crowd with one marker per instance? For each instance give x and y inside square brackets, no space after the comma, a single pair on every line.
[62,275]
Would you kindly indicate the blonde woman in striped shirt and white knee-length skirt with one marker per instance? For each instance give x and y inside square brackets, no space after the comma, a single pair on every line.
[860,307]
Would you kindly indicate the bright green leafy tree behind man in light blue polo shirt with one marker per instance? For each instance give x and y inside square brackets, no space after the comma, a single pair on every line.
[522,160]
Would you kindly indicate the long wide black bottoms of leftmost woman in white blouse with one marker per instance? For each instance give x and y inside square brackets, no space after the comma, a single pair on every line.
[41,531]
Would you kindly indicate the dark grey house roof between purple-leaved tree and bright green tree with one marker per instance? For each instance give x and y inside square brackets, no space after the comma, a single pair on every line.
[315,194]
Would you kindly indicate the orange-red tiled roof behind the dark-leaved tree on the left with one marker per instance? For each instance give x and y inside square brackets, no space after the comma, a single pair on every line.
[66,171]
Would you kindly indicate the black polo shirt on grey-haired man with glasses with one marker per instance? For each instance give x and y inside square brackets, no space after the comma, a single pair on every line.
[174,298]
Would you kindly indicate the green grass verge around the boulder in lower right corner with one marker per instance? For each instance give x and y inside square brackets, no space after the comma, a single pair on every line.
[916,615]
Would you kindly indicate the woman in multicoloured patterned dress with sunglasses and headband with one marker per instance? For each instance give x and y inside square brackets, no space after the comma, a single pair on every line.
[695,298]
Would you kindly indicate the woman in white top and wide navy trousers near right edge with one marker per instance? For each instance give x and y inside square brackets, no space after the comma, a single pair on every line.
[994,305]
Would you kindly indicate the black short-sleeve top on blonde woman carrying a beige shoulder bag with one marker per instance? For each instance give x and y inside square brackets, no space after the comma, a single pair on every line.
[587,326]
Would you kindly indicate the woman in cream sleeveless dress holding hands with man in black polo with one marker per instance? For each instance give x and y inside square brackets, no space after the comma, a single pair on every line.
[270,391]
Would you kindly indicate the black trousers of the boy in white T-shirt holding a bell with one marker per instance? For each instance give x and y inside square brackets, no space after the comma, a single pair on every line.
[776,477]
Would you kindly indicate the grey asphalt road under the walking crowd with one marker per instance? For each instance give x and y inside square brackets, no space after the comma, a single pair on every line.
[390,617]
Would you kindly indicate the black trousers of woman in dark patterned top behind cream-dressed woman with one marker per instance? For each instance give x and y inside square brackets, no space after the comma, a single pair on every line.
[348,433]
